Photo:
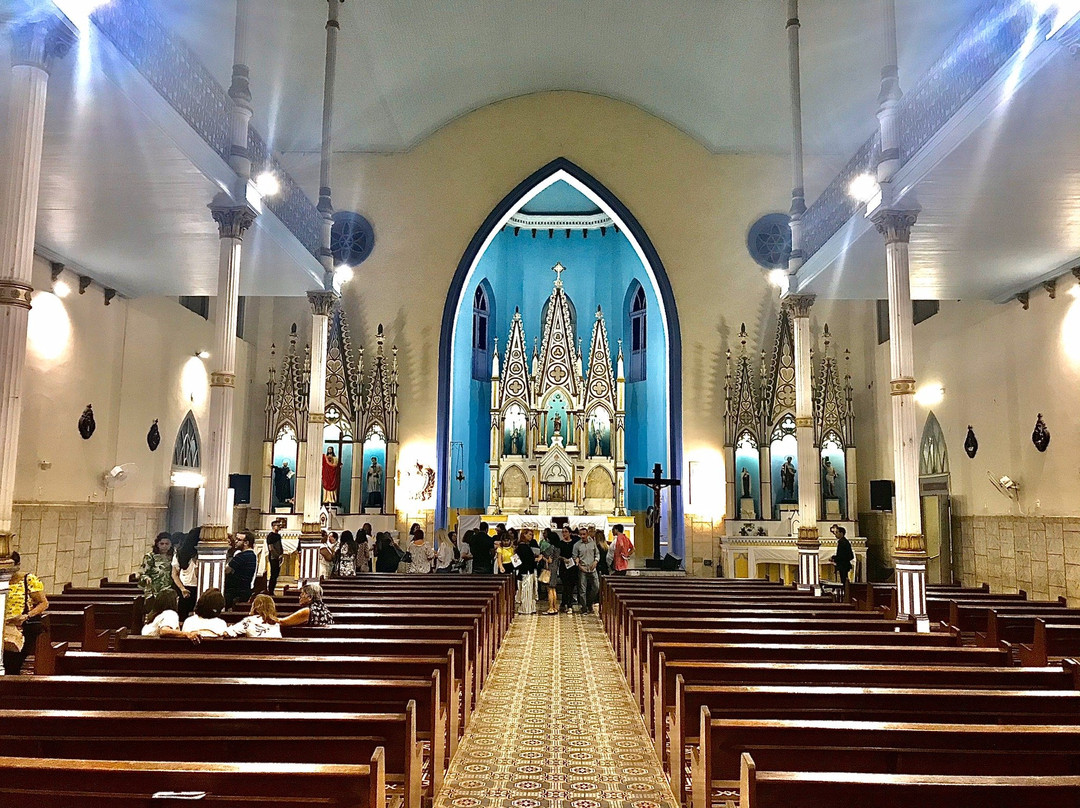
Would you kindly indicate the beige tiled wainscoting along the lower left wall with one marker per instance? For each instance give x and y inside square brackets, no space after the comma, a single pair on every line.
[84,543]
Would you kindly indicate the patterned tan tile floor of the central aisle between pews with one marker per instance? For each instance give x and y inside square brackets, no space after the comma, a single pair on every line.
[557,728]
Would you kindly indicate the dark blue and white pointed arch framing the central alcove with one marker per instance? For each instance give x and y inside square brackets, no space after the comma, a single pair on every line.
[564,170]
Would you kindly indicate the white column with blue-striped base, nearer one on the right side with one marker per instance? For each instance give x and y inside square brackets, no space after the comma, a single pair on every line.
[911,546]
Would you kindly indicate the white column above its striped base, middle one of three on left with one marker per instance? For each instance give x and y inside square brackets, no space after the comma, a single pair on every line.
[233,221]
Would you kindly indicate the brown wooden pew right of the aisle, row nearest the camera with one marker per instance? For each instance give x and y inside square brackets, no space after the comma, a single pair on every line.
[785,789]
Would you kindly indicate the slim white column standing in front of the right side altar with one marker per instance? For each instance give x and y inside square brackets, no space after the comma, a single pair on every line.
[809,543]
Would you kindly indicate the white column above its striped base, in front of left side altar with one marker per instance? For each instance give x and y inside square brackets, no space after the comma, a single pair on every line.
[322,304]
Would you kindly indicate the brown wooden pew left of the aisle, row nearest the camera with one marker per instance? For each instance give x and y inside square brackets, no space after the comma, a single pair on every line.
[82,784]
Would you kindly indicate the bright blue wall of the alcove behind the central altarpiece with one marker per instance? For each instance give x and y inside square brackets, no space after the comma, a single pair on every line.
[600,273]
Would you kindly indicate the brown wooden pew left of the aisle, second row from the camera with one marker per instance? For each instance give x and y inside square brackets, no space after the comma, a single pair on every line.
[228,737]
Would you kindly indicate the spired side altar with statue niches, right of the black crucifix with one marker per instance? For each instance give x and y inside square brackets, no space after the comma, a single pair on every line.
[762,460]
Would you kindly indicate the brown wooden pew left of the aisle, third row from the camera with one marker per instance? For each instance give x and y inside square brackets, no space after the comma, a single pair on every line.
[240,695]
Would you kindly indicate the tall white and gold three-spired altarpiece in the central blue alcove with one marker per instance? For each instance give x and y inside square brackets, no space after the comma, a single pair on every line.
[558,421]
